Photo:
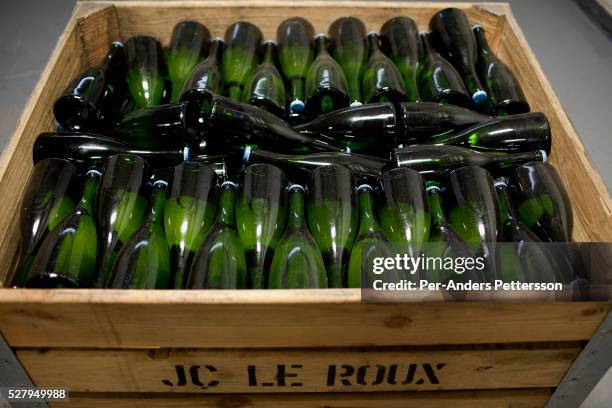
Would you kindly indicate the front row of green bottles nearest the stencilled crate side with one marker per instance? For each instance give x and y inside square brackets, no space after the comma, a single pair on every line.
[271,233]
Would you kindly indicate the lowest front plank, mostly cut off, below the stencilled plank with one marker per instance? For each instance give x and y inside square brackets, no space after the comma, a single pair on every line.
[535,398]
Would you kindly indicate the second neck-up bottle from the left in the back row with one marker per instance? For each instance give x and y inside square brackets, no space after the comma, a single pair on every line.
[207,74]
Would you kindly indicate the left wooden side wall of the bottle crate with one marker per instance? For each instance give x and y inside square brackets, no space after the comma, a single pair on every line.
[16,163]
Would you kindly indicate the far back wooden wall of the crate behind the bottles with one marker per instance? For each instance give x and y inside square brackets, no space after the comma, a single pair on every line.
[159,18]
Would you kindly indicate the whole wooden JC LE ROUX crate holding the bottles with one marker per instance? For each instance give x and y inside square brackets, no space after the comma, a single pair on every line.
[290,348]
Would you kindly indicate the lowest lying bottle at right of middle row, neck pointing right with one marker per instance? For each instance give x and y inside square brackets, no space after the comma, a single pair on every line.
[436,160]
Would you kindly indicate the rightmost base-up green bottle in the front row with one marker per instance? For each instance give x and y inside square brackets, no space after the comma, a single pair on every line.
[542,201]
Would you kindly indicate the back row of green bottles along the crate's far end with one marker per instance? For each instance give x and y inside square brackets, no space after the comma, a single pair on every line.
[299,78]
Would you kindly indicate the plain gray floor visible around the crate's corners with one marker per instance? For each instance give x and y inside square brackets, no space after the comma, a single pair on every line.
[575,53]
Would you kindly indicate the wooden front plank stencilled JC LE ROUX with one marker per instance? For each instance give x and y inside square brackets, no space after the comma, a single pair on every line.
[289,371]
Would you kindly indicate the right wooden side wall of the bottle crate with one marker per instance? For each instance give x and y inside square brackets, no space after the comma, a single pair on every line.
[590,200]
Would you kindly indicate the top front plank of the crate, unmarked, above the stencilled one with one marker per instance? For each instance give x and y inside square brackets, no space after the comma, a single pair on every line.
[279,318]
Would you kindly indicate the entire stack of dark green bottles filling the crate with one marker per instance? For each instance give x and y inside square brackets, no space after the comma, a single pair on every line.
[244,163]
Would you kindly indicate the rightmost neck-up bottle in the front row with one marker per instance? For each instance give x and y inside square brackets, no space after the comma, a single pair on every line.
[522,256]
